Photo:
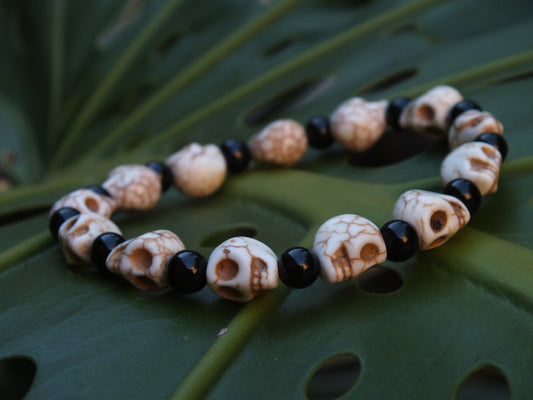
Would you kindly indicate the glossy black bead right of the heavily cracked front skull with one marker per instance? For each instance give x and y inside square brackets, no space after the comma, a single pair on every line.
[400,239]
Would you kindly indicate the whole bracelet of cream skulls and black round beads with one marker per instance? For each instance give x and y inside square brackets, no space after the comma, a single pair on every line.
[344,246]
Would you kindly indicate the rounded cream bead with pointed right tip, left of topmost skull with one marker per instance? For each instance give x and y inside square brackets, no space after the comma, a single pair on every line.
[357,124]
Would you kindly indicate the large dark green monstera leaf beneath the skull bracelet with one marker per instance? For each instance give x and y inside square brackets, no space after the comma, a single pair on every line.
[85,86]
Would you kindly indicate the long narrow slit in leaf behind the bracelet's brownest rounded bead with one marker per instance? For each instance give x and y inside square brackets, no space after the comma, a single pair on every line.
[292,98]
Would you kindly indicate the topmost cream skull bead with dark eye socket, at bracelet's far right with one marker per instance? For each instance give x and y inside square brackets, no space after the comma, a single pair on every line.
[428,113]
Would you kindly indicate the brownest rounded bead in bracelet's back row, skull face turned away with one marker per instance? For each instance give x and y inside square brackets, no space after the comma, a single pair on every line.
[281,142]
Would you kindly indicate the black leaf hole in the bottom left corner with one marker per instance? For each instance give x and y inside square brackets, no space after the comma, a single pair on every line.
[16,376]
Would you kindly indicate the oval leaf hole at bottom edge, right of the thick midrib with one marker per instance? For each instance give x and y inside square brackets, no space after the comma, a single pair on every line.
[334,377]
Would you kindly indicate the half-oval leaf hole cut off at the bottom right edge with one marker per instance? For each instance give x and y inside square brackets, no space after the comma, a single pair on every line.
[488,383]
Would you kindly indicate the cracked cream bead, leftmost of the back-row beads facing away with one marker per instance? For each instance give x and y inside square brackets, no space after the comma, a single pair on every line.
[135,187]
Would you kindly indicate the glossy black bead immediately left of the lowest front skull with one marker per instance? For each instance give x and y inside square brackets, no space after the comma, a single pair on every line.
[186,271]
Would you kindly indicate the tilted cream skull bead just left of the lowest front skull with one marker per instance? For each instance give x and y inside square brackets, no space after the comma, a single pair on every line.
[143,260]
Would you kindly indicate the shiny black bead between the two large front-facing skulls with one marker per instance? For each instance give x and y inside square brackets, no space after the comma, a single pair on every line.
[298,267]
